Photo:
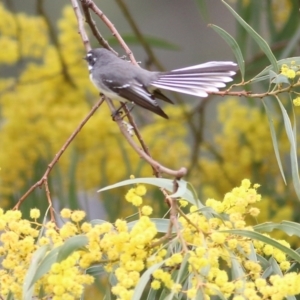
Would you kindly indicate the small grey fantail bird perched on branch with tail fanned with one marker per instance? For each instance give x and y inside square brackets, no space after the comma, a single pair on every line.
[119,79]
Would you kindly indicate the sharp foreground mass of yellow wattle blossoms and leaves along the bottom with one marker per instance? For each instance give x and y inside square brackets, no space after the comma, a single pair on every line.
[214,253]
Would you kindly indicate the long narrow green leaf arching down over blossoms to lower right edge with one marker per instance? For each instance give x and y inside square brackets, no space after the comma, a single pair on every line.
[258,236]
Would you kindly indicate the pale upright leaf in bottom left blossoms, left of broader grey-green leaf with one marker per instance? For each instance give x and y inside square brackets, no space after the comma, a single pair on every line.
[30,277]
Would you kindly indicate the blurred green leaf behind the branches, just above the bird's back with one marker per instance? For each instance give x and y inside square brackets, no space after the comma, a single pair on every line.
[152,40]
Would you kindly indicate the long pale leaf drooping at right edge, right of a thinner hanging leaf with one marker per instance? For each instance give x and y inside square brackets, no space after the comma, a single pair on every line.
[293,150]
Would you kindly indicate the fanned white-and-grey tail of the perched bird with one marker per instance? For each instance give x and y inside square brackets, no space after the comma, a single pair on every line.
[197,80]
